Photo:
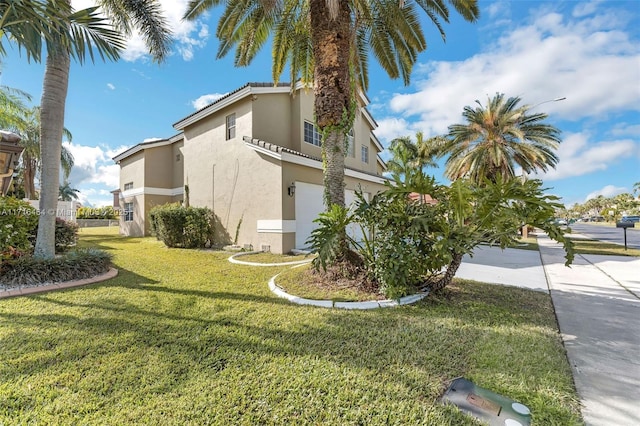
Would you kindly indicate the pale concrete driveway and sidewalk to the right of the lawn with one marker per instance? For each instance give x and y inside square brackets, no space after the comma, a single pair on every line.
[597,303]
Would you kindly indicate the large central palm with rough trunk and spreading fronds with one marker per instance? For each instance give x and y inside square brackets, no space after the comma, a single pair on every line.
[328,42]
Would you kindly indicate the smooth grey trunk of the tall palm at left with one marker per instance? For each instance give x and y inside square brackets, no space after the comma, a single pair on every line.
[54,95]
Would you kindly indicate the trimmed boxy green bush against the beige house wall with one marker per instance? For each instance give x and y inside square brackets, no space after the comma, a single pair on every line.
[179,226]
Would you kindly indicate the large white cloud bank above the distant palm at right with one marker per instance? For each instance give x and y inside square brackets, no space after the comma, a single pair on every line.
[591,62]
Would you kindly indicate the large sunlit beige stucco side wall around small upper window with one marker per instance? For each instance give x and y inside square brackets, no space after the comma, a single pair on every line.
[239,184]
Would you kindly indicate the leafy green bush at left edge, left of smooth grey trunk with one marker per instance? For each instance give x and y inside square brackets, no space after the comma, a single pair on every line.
[18,223]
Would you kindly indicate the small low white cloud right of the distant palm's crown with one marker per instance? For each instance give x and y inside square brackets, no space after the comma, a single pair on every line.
[578,156]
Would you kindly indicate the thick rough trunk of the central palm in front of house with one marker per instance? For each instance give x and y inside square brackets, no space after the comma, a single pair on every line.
[331,39]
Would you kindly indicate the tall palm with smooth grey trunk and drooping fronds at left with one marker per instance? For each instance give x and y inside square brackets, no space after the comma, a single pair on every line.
[72,40]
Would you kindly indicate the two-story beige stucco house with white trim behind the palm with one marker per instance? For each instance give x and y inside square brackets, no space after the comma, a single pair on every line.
[253,157]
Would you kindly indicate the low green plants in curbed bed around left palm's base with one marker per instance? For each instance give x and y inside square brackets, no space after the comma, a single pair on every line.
[74,265]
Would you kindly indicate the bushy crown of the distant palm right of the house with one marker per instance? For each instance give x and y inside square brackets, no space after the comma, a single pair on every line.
[496,138]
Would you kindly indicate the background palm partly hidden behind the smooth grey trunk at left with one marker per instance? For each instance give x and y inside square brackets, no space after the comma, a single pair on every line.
[31,158]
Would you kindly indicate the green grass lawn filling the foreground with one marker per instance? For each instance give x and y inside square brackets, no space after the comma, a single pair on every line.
[185,337]
